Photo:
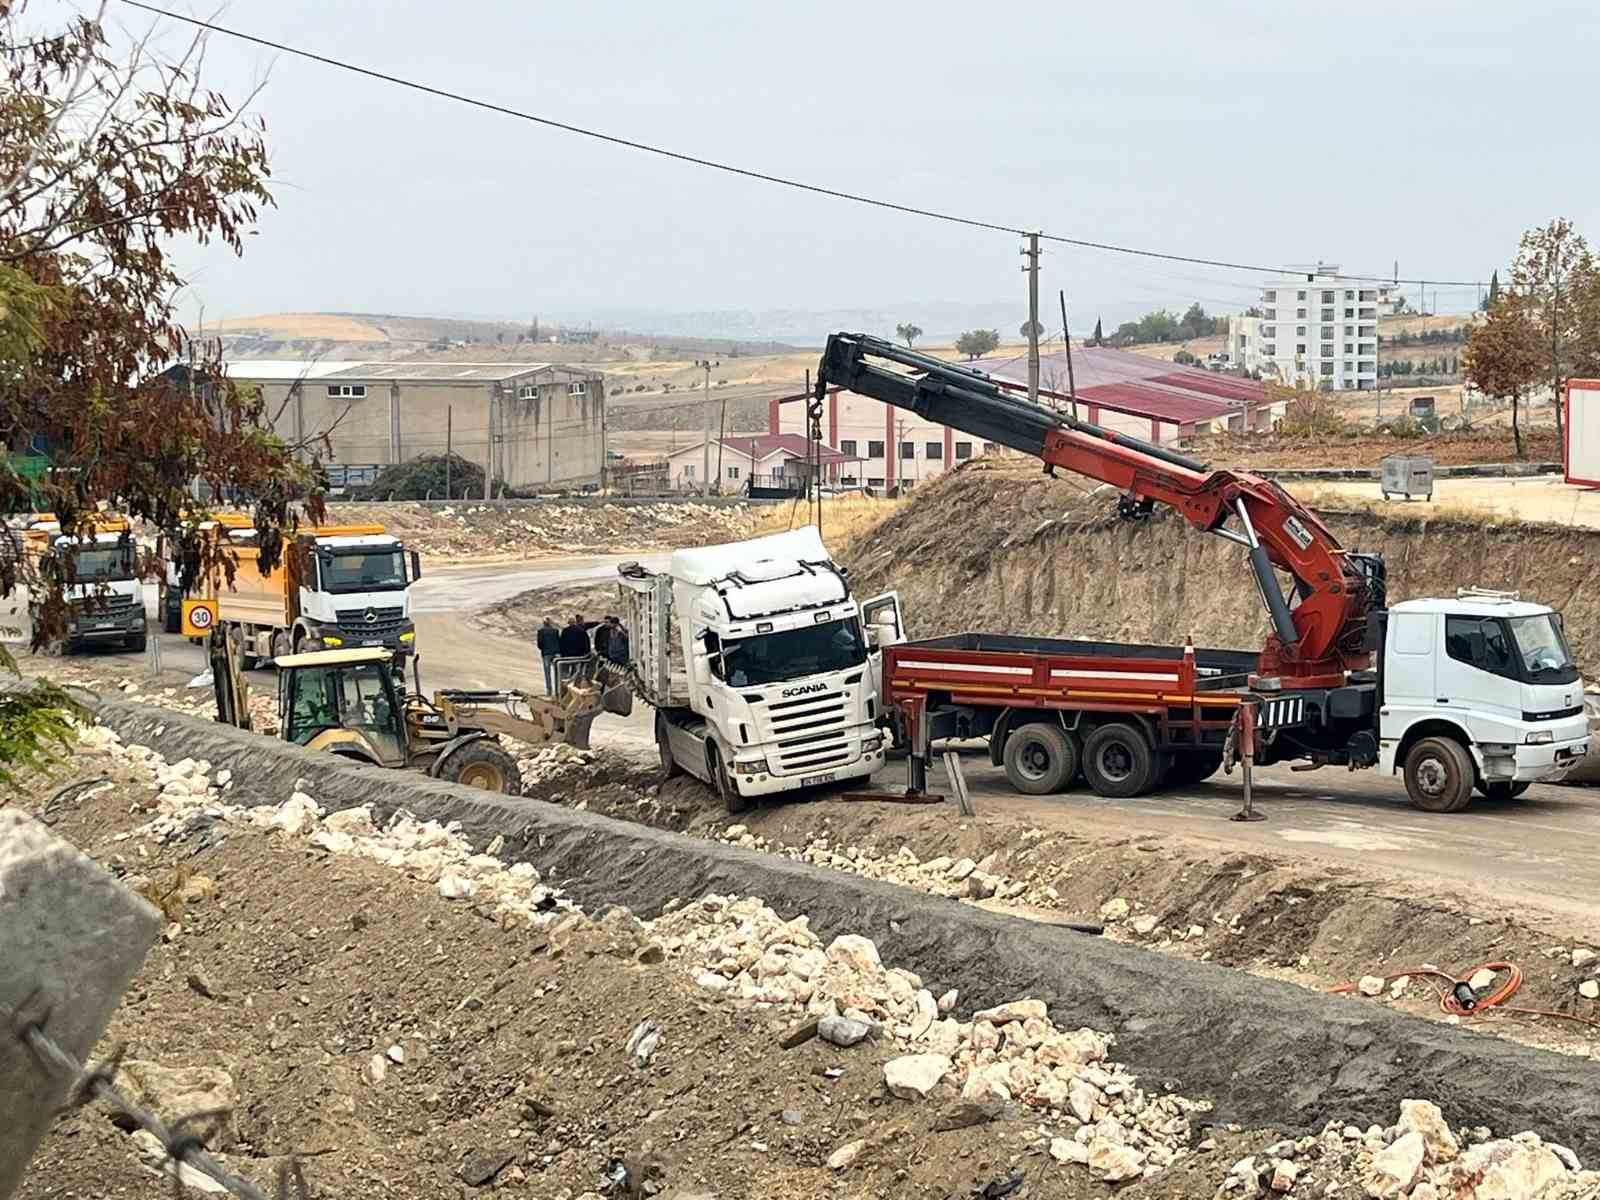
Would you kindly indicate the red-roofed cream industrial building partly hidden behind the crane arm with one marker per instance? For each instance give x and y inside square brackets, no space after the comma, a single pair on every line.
[886,447]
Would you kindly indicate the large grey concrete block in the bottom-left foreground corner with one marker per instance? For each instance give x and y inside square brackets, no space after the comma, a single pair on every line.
[71,929]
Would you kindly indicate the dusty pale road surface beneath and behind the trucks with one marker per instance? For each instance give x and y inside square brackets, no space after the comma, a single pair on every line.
[1540,850]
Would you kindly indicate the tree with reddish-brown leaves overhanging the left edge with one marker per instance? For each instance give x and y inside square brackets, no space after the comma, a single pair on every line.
[108,159]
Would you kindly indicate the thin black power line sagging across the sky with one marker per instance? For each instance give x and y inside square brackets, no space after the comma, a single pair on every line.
[762,177]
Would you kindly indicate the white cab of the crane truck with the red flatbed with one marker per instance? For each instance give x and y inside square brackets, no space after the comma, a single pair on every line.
[1482,686]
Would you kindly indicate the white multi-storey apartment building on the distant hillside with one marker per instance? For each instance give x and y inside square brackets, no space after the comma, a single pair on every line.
[1313,329]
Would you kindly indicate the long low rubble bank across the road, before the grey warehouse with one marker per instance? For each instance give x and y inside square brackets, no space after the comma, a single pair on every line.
[548,527]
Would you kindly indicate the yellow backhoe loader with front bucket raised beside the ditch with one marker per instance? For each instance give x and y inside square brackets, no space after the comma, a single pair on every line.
[351,703]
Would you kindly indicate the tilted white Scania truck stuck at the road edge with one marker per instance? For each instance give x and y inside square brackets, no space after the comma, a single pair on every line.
[762,668]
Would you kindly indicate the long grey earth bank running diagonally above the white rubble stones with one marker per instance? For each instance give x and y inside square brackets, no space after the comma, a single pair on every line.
[1265,1052]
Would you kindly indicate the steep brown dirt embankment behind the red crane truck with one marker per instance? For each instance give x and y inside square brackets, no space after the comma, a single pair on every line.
[999,550]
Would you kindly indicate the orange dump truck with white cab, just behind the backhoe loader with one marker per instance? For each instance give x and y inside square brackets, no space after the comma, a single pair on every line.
[334,588]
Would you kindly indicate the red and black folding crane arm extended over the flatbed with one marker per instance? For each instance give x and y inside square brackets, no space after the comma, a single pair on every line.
[1314,644]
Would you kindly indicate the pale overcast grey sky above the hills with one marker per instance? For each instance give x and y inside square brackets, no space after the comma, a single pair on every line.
[1265,134]
